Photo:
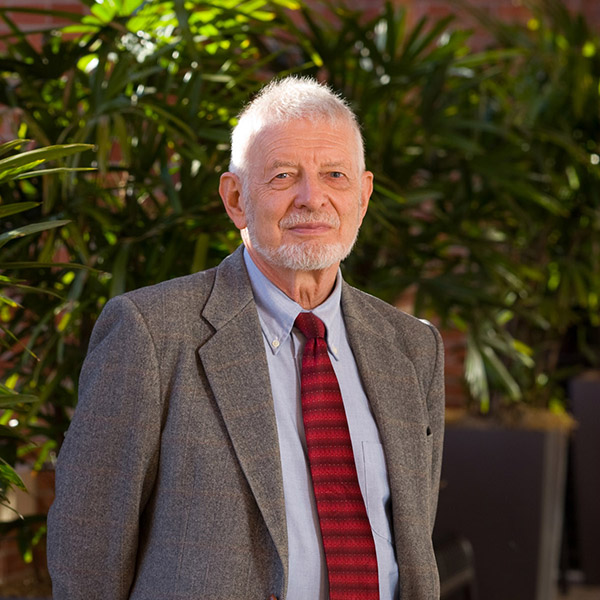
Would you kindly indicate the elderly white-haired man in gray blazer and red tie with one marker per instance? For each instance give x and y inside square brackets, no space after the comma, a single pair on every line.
[261,429]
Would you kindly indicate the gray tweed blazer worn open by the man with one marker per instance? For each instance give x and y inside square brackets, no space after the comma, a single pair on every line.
[169,482]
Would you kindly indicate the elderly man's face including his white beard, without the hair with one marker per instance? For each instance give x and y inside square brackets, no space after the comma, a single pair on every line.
[305,196]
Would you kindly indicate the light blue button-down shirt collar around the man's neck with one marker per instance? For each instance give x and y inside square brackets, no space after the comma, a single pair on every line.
[277,311]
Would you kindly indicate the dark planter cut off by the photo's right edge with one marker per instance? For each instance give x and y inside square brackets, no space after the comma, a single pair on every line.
[585,404]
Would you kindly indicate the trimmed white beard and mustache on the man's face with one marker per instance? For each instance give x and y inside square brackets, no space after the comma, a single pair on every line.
[302,256]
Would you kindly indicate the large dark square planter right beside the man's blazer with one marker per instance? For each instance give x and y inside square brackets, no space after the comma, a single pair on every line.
[503,489]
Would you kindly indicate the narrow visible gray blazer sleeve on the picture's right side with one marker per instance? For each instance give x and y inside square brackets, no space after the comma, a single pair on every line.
[436,409]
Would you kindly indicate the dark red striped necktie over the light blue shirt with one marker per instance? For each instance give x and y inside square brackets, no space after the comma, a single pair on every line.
[347,537]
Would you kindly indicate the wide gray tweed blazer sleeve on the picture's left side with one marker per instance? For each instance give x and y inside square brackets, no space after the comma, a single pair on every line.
[108,462]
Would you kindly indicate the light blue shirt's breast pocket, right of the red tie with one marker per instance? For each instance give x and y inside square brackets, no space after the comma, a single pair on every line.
[377,490]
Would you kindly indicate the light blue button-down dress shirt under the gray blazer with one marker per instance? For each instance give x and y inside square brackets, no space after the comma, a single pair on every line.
[283,345]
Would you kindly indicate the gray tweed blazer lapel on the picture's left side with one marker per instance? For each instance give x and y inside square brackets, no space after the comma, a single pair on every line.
[236,367]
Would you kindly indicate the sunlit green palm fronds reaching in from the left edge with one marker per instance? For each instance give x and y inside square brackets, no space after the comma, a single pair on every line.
[17,410]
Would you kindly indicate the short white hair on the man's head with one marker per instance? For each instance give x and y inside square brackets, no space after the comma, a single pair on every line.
[286,100]
